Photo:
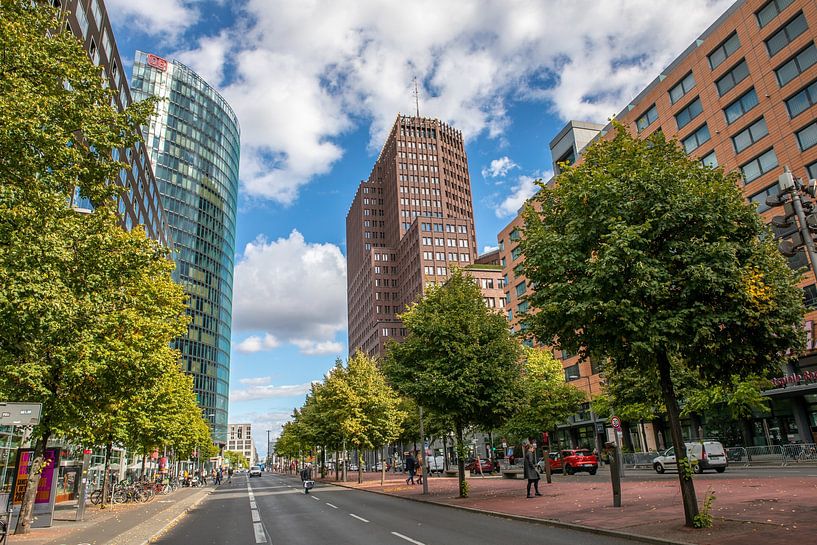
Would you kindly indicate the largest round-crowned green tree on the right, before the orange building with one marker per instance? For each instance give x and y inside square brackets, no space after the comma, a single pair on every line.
[642,254]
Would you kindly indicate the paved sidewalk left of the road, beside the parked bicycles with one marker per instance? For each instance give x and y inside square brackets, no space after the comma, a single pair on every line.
[123,524]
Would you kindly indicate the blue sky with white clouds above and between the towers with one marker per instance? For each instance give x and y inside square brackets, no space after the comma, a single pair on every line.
[317,84]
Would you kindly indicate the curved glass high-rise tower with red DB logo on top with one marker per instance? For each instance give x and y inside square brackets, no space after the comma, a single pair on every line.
[193,142]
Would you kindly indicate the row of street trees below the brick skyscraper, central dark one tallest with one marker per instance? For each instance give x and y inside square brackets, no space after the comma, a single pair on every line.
[459,362]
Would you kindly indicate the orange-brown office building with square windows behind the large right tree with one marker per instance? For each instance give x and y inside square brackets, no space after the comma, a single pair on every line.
[742,96]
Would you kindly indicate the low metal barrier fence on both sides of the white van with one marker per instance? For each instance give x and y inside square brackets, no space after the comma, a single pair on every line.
[774,455]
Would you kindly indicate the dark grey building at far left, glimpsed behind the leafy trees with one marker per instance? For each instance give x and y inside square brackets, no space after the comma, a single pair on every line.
[140,203]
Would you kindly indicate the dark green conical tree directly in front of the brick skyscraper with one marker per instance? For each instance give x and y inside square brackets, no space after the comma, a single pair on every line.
[458,360]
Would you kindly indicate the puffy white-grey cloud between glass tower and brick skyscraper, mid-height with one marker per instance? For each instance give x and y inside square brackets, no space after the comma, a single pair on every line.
[293,291]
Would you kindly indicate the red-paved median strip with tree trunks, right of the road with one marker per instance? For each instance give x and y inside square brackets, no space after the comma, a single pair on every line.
[747,509]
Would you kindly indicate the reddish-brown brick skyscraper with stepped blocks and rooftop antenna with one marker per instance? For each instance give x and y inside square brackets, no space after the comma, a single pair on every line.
[409,222]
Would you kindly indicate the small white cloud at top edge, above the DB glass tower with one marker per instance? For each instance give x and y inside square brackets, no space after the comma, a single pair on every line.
[154,17]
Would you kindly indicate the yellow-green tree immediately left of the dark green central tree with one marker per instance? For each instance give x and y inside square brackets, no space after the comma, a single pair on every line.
[363,406]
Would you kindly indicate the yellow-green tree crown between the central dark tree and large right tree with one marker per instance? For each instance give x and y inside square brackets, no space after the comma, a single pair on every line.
[545,398]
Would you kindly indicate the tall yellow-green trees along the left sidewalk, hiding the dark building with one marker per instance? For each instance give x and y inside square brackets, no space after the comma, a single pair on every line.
[88,309]
